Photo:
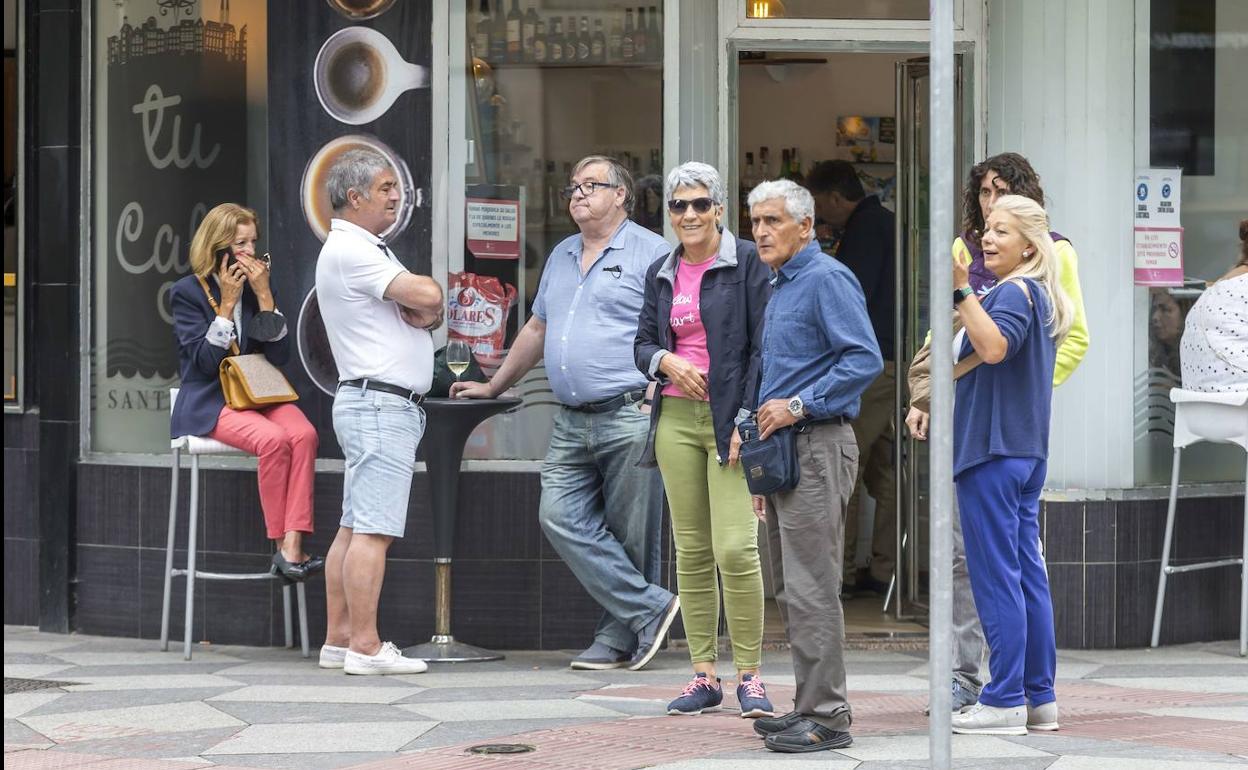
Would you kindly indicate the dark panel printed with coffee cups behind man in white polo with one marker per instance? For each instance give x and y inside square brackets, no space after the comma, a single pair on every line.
[344,74]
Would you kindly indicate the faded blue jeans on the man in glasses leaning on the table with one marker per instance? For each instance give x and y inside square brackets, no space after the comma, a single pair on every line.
[603,515]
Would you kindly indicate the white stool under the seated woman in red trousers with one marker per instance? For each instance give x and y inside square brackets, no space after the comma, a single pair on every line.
[195,446]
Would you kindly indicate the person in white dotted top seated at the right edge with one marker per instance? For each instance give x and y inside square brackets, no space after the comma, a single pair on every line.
[1215,349]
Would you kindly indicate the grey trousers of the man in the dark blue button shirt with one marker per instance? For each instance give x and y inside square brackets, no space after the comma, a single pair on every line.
[806,543]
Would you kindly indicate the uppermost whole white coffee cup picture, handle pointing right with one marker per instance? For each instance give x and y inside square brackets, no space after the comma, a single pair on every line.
[359,76]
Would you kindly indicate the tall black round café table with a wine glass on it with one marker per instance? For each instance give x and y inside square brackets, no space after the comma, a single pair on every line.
[450,424]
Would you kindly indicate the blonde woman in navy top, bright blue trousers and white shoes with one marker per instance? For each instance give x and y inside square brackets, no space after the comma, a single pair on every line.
[1002,417]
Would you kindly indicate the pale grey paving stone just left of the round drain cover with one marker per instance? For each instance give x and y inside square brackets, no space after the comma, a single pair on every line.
[325,738]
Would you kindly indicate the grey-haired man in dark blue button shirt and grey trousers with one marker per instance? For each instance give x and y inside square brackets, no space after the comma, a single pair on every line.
[819,355]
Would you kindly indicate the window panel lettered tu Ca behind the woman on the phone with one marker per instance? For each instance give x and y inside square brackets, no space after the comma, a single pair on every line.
[170,143]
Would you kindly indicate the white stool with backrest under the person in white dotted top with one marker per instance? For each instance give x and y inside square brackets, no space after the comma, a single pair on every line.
[1219,419]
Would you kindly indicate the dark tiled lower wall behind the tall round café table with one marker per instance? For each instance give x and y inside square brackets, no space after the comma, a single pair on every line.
[510,590]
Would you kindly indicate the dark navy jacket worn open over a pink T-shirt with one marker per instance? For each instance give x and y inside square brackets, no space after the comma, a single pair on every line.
[734,295]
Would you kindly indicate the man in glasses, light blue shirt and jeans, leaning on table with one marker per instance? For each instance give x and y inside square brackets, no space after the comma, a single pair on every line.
[601,512]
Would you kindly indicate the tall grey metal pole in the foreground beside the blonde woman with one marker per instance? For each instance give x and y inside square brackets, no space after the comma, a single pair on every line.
[942,541]
